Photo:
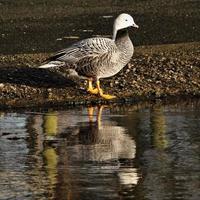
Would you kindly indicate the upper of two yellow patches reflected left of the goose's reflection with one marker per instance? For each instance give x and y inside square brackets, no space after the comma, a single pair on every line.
[50,124]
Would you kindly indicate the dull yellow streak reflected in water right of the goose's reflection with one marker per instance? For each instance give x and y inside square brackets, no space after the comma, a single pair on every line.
[158,124]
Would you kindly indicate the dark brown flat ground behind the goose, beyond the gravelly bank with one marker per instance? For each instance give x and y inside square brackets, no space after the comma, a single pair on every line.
[35,26]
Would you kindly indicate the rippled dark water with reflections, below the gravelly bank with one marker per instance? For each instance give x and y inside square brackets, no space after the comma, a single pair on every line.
[107,152]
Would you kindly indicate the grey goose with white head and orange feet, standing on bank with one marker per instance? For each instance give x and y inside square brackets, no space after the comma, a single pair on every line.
[98,57]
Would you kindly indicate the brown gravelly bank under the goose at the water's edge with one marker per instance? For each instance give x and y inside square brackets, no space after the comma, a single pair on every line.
[154,72]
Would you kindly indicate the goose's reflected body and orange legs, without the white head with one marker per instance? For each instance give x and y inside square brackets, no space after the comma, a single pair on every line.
[103,140]
